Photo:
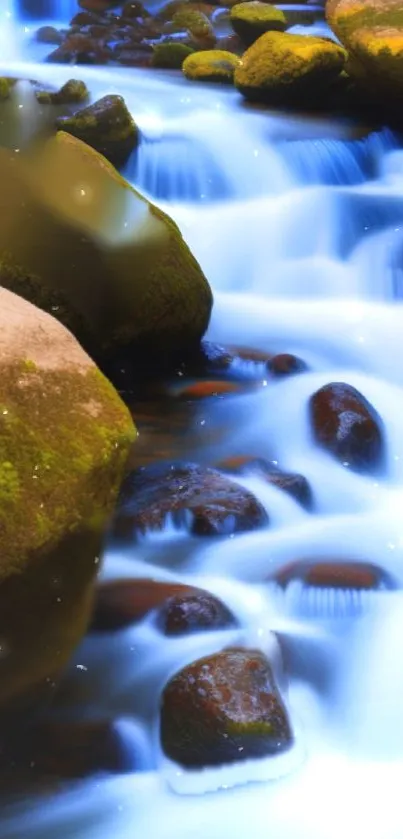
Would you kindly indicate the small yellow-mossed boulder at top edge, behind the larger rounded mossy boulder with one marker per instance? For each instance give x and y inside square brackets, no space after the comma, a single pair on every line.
[252,19]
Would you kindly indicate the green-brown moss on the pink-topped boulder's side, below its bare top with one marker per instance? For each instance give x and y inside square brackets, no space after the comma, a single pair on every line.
[63,447]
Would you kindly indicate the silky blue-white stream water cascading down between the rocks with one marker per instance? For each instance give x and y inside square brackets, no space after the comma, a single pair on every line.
[298,224]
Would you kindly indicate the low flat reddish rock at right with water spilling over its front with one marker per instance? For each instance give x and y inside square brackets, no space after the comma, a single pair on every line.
[338,574]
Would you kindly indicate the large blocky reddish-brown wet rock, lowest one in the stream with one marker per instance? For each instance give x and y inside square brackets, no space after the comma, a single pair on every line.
[224,708]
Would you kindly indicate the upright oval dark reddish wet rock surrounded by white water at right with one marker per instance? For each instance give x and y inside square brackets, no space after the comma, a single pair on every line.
[347,425]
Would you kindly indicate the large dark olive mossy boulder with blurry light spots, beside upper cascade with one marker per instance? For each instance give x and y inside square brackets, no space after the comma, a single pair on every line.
[78,241]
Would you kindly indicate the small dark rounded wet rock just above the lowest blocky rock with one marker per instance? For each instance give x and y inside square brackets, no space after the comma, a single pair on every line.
[193,611]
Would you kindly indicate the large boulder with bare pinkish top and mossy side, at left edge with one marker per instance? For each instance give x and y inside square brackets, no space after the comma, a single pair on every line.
[64,442]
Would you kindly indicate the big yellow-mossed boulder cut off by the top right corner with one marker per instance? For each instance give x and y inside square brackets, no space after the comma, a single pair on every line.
[372,31]
